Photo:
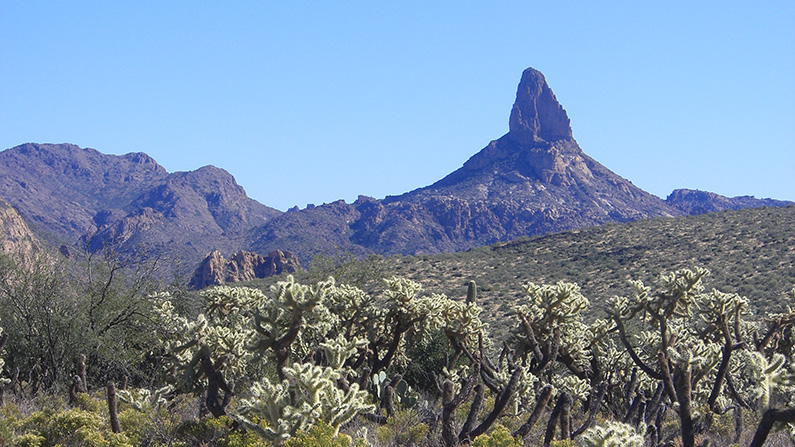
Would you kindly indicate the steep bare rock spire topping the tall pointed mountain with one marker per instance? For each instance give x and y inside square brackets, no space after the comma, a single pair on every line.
[536,114]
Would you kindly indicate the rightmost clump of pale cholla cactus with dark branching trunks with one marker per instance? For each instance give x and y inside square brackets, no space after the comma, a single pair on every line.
[698,348]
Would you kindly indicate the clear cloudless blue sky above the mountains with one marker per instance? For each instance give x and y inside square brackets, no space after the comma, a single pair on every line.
[310,102]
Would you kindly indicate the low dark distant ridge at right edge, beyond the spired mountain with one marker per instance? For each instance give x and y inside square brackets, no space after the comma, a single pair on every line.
[700,202]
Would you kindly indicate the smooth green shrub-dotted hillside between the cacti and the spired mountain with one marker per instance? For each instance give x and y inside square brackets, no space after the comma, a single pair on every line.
[750,252]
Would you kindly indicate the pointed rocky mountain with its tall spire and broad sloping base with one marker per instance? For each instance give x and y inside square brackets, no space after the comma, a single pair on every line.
[533,180]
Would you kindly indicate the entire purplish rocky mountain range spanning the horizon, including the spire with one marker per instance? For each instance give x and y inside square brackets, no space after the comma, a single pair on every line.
[535,179]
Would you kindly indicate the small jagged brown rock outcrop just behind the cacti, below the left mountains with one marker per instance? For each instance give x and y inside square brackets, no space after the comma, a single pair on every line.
[242,266]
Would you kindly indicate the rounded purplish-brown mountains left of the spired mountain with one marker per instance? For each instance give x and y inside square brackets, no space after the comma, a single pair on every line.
[129,202]
